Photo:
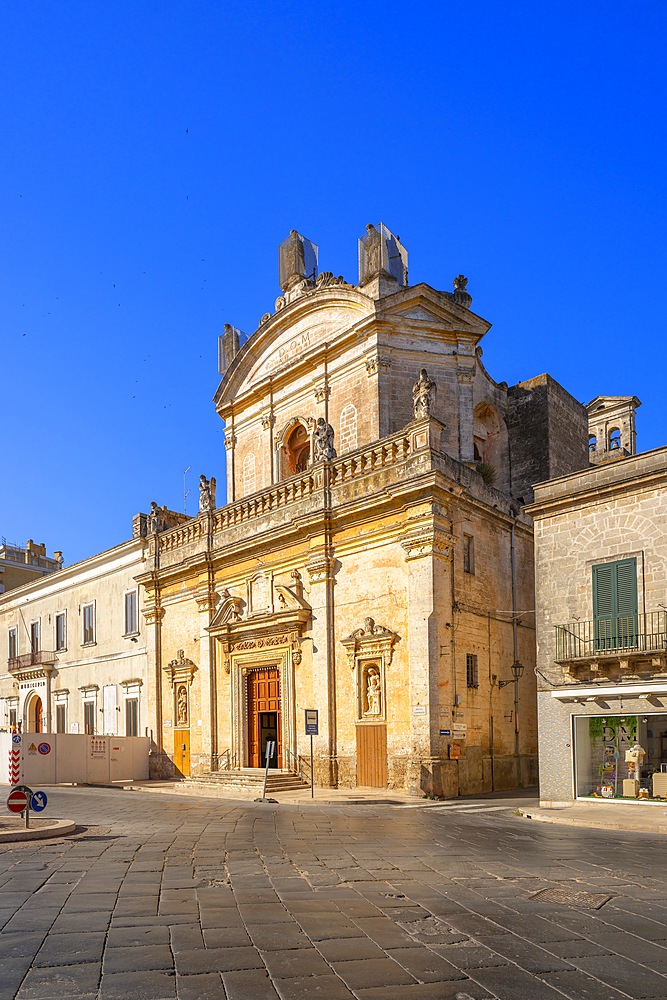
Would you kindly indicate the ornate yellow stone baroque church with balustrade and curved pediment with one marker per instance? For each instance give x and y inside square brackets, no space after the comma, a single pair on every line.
[371,561]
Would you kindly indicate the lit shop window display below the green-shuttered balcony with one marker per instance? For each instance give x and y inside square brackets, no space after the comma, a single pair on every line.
[621,757]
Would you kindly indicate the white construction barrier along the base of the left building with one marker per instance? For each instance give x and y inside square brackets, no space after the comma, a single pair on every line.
[53,758]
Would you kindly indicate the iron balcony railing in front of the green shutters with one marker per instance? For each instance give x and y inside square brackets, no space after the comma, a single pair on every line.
[615,636]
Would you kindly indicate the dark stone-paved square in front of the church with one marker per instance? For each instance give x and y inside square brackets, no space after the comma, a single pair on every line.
[160,896]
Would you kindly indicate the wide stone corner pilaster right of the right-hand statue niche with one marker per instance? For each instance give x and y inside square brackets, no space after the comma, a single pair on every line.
[428,552]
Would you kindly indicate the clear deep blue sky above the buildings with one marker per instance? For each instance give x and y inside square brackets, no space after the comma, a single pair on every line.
[155,154]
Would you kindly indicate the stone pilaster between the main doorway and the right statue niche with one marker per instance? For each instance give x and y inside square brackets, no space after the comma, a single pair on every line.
[321,576]
